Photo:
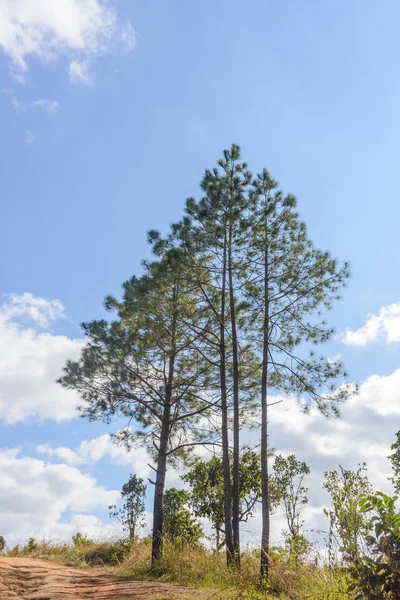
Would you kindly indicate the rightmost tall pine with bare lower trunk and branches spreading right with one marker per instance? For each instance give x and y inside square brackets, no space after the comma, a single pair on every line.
[291,284]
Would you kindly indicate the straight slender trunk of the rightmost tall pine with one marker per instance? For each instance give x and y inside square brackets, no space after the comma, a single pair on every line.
[264,567]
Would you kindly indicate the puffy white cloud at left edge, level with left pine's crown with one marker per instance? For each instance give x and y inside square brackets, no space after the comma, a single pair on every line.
[31,361]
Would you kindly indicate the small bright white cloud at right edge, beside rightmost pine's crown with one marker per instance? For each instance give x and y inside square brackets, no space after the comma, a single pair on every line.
[384,326]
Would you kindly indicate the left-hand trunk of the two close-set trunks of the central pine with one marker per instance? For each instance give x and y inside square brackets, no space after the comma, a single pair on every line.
[224,416]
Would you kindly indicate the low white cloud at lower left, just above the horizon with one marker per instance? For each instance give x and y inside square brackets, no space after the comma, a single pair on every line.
[34,496]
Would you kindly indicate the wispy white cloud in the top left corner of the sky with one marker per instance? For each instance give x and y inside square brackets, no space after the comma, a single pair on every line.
[46,30]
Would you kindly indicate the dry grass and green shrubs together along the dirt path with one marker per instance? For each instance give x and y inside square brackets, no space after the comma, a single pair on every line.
[360,559]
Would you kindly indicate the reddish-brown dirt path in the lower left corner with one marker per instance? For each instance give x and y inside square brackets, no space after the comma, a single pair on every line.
[31,579]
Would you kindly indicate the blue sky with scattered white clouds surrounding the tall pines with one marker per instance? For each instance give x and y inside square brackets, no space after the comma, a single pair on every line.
[109,115]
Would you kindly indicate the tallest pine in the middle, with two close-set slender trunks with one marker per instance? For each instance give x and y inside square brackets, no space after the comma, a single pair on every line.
[214,234]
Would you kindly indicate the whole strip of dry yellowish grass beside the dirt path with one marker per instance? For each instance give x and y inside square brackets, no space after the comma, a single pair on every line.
[200,568]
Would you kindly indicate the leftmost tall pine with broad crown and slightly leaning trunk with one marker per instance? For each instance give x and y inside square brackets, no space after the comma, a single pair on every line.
[146,368]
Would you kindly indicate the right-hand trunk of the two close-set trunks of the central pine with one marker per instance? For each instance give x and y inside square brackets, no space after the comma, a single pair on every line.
[236,441]
